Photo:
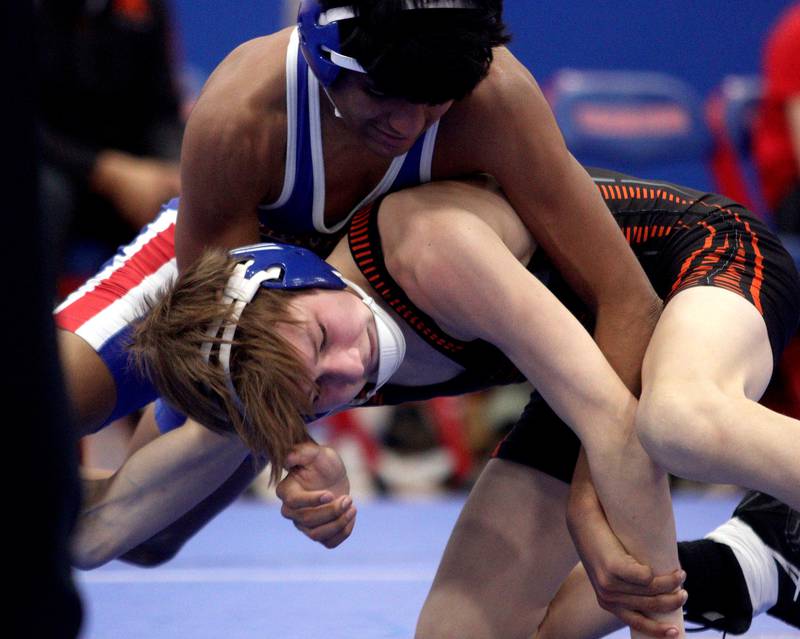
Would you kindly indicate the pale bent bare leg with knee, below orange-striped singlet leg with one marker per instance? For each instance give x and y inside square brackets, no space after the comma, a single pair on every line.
[706,366]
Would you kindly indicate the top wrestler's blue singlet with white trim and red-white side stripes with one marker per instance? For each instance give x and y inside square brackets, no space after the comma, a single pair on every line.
[103,310]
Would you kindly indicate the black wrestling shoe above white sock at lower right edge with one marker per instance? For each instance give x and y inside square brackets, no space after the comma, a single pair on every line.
[778,526]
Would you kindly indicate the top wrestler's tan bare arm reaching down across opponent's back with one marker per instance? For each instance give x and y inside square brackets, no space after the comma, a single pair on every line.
[506,128]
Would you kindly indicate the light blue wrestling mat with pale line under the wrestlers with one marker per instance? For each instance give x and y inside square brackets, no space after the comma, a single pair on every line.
[251,575]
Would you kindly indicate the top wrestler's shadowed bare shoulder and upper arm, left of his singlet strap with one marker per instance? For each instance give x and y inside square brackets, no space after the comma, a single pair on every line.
[232,153]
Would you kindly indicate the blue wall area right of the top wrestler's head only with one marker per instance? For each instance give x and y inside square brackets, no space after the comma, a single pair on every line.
[700,40]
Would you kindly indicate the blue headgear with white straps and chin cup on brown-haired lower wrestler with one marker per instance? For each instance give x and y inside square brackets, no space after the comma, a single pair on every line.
[281,266]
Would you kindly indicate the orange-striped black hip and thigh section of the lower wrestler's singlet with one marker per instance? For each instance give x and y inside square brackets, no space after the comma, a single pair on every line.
[685,238]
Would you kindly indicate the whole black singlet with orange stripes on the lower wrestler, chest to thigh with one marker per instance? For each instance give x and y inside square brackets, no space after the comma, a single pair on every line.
[682,238]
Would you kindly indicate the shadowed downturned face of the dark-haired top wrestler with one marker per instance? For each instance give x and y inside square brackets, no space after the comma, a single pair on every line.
[389,126]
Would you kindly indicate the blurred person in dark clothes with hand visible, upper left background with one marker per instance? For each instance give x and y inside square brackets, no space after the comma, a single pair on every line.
[110,123]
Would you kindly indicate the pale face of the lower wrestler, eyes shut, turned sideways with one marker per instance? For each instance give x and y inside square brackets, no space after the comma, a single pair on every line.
[336,338]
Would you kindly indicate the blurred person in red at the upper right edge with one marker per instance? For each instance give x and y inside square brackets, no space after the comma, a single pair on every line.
[776,136]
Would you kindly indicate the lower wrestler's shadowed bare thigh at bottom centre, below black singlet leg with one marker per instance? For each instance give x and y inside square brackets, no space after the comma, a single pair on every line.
[506,557]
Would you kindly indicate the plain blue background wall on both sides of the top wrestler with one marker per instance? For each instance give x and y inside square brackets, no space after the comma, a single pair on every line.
[698,40]
